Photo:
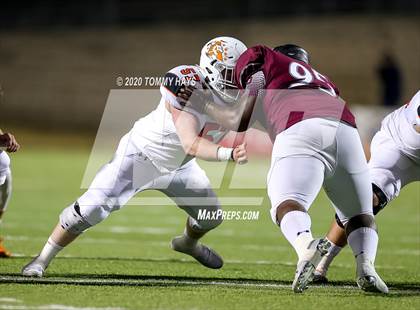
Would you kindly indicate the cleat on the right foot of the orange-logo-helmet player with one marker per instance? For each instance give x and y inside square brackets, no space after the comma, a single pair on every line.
[203,254]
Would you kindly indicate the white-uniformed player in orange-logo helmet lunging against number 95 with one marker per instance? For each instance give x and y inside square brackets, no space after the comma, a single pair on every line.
[159,153]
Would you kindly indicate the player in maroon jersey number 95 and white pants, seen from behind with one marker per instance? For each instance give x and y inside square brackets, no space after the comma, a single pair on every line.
[316,144]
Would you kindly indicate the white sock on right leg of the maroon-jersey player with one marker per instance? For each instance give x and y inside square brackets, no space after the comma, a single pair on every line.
[364,240]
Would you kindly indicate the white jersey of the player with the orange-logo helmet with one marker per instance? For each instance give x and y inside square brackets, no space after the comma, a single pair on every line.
[155,134]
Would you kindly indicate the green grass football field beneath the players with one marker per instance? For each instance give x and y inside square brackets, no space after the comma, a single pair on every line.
[125,262]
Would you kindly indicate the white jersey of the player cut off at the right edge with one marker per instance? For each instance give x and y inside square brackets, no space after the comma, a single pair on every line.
[399,125]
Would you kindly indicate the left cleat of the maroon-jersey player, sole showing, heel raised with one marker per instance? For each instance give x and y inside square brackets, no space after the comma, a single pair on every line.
[306,266]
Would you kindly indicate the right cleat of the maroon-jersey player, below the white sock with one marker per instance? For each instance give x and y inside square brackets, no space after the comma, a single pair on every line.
[367,277]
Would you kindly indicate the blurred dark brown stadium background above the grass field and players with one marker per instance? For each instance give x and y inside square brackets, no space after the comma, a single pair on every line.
[59,59]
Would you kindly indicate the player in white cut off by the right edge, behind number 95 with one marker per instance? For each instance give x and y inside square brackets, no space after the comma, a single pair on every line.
[394,163]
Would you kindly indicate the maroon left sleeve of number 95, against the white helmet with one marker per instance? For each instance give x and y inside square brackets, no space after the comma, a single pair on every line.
[250,62]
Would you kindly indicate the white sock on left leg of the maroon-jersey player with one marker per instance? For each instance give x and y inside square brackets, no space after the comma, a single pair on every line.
[296,227]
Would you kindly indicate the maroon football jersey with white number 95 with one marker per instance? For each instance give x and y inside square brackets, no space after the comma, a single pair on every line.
[293,90]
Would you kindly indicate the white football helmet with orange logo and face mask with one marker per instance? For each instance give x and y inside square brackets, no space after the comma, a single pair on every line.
[217,61]
